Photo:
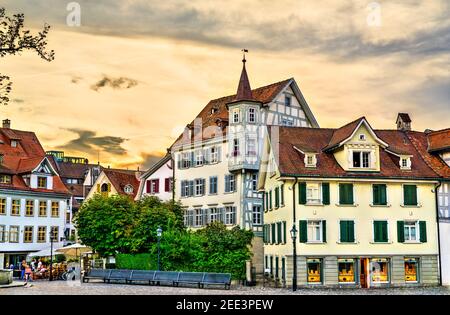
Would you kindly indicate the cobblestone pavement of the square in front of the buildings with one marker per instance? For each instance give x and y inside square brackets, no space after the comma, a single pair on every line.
[68,288]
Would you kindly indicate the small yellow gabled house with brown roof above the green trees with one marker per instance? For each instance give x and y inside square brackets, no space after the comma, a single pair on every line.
[116,182]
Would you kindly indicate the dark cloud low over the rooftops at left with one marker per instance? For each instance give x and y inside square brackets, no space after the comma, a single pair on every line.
[88,142]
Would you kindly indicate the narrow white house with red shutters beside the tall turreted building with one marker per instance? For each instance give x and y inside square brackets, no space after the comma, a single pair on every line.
[158,180]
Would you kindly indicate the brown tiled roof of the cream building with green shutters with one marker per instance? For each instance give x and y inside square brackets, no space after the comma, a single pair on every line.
[291,162]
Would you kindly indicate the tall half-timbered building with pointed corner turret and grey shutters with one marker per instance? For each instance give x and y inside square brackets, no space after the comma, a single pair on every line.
[217,157]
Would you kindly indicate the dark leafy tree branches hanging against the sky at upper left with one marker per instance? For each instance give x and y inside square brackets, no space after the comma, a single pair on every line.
[14,40]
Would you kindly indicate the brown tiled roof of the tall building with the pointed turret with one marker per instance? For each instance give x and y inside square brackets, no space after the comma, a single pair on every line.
[264,94]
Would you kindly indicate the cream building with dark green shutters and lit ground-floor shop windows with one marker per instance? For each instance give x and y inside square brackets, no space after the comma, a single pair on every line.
[360,201]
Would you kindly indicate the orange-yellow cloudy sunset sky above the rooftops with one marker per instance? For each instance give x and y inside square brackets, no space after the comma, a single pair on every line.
[133,73]
